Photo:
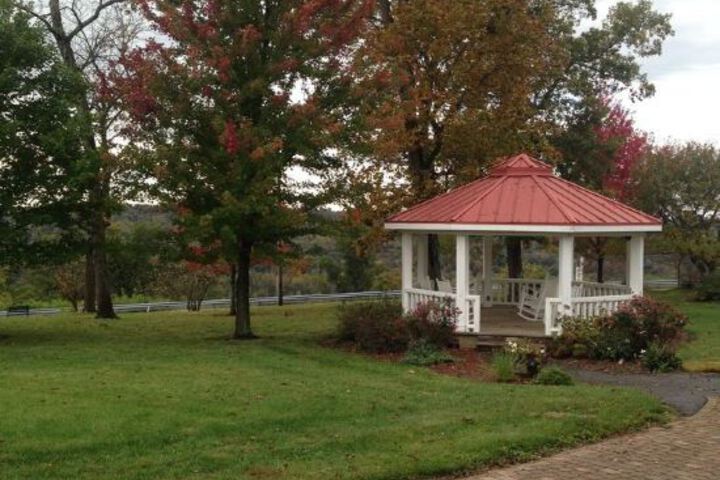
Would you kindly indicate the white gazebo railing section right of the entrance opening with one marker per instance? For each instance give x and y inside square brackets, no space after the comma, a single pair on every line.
[580,307]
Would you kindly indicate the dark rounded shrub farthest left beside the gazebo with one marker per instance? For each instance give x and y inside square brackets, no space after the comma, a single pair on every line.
[375,327]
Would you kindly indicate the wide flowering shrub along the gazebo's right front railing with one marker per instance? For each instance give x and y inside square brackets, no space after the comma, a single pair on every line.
[624,334]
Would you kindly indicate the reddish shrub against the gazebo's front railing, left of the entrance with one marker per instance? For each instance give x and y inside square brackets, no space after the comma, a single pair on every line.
[433,322]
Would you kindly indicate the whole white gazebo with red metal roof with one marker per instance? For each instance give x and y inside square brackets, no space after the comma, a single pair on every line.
[520,197]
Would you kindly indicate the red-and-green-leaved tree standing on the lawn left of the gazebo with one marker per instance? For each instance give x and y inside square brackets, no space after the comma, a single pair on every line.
[213,104]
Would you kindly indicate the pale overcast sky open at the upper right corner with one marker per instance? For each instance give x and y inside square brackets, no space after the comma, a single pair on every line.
[686,76]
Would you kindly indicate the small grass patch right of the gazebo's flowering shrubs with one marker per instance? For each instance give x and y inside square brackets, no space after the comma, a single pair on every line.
[702,352]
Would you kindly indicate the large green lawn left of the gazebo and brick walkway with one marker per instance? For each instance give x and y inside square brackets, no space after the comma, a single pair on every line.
[167,395]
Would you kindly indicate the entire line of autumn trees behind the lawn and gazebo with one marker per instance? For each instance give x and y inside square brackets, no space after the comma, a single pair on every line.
[211,108]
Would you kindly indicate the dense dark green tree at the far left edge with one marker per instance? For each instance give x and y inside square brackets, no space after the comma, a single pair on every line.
[41,155]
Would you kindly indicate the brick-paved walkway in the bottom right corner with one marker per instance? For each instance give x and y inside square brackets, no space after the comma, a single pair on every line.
[687,449]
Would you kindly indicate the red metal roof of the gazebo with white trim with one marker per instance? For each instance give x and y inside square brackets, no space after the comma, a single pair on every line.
[522,195]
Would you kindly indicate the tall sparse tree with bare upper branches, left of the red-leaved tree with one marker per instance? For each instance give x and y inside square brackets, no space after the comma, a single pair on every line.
[88,37]
